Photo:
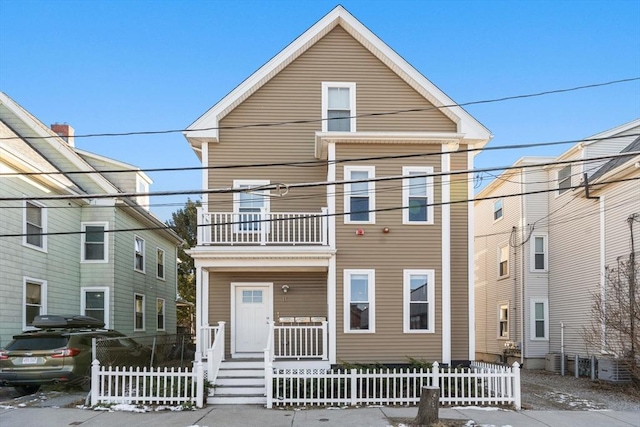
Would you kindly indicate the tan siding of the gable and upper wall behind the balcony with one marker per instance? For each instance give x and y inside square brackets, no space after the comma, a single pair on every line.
[295,94]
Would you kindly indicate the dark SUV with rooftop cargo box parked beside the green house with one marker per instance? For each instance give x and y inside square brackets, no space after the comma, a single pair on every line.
[60,352]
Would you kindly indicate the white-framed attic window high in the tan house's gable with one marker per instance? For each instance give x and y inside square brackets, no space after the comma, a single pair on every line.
[338,107]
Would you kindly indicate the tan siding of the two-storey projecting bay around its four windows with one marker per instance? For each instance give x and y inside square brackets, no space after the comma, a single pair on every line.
[404,247]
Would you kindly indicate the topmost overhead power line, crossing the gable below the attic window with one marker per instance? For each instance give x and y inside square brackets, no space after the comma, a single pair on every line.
[291,122]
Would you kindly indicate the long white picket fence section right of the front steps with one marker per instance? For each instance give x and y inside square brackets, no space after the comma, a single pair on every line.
[466,386]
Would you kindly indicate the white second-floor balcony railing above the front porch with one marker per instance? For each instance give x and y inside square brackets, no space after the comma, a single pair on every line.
[262,228]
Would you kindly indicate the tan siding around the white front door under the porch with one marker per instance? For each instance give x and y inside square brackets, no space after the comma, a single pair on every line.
[307,295]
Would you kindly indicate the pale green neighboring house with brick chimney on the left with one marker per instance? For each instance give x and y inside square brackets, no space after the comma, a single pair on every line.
[65,256]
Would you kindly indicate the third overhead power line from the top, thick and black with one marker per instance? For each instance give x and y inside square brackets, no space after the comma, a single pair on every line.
[281,186]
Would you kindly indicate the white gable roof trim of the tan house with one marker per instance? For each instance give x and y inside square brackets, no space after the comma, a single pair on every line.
[205,128]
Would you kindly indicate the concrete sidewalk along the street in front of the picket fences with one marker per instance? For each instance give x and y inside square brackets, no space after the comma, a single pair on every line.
[249,416]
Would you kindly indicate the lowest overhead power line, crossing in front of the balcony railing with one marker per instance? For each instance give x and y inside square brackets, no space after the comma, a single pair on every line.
[396,208]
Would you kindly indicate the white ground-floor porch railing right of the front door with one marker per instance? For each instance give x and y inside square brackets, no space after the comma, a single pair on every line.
[300,341]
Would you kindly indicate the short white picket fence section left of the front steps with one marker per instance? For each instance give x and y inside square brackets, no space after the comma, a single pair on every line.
[155,386]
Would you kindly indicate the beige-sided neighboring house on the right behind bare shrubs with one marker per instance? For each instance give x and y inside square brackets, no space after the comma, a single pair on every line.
[541,257]
